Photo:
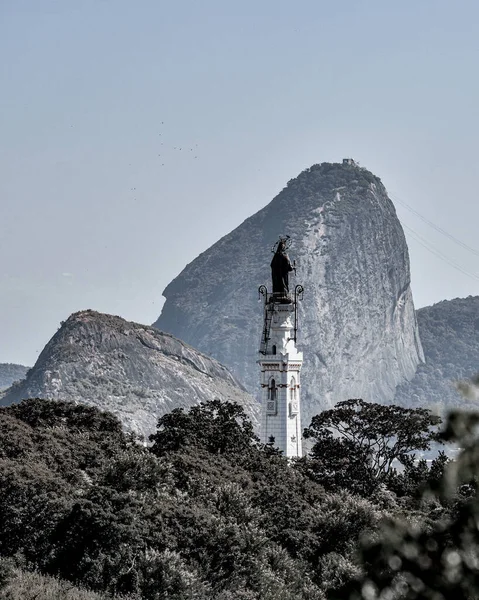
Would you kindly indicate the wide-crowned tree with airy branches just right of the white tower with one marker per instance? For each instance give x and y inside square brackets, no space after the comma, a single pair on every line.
[358,444]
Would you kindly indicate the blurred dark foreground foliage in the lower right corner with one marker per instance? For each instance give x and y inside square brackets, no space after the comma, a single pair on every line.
[439,560]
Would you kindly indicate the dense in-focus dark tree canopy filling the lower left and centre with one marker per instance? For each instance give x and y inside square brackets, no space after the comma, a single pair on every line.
[192,517]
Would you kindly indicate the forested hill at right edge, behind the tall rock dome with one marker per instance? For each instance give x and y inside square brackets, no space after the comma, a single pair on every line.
[449,332]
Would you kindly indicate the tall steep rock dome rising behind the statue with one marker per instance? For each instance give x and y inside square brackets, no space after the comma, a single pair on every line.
[358,328]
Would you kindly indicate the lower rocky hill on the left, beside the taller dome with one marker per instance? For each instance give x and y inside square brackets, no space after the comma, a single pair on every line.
[132,370]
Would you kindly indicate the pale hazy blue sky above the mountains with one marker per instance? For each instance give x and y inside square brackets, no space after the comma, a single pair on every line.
[134,134]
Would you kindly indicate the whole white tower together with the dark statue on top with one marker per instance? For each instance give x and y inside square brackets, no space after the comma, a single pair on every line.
[280,361]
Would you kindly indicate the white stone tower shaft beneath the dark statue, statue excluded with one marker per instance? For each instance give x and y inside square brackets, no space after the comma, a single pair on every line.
[281,385]
